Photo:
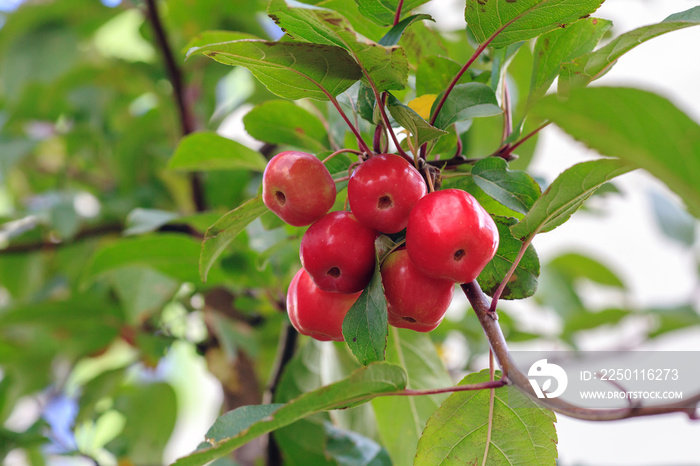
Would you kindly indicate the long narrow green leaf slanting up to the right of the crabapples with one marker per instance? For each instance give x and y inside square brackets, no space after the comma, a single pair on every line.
[566,194]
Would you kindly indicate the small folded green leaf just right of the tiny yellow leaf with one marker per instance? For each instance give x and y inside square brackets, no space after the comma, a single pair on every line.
[466,101]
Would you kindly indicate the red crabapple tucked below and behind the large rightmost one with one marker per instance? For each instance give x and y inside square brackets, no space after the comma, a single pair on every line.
[414,300]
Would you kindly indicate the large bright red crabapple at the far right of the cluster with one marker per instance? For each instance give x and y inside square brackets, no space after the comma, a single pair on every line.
[450,236]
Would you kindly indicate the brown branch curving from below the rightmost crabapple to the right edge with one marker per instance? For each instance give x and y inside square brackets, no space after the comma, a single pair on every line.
[520,380]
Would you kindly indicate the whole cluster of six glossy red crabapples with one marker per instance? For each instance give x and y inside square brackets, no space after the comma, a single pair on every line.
[449,239]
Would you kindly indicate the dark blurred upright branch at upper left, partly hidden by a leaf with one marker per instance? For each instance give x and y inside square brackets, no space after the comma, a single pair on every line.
[187,121]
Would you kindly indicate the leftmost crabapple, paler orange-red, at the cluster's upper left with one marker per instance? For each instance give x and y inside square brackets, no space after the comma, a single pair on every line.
[298,187]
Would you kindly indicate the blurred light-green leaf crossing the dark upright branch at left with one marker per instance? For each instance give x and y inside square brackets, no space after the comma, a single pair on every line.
[209,151]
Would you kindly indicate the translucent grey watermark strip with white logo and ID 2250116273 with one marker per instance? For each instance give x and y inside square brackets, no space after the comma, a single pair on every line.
[609,379]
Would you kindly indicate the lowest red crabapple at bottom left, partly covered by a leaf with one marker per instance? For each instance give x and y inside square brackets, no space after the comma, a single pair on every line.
[317,313]
